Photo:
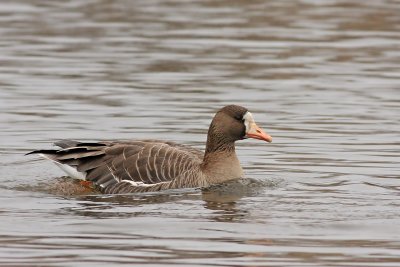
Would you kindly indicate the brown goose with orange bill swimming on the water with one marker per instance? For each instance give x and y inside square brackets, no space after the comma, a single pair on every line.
[119,167]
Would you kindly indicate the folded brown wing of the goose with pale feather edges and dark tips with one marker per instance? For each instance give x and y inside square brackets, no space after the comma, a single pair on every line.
[108,163]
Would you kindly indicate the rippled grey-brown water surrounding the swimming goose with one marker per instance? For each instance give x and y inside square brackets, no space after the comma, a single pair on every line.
[322,77]
